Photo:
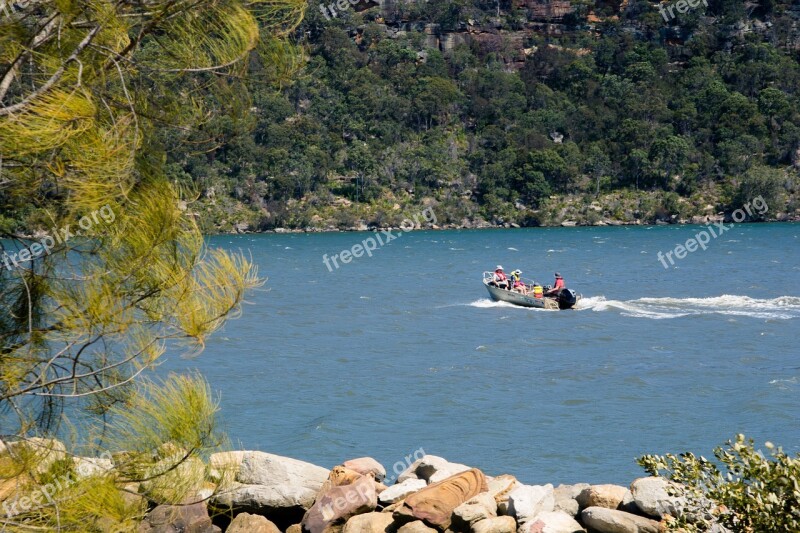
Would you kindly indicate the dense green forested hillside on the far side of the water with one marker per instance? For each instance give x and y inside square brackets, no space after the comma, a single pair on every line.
[640,118]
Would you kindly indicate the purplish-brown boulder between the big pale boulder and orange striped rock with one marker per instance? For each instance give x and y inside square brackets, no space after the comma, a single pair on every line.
[336,504]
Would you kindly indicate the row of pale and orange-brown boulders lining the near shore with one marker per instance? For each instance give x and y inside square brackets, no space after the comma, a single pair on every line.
[258,492]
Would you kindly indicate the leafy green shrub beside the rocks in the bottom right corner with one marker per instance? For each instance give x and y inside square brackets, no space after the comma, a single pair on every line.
[743,490]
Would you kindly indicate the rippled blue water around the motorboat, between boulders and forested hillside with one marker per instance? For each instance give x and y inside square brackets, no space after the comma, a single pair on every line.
[403,350]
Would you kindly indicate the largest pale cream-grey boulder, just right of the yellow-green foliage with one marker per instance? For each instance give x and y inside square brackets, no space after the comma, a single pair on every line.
[279,488]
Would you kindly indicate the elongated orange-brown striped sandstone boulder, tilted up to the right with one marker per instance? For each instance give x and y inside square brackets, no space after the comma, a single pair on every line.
[435,503]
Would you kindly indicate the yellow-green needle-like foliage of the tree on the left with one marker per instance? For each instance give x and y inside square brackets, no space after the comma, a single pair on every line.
[88,89]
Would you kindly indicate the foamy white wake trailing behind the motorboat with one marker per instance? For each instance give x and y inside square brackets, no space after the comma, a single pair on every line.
[783,308]
